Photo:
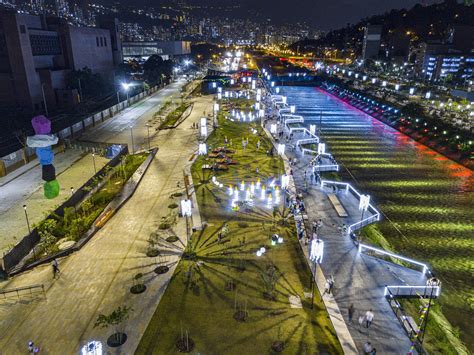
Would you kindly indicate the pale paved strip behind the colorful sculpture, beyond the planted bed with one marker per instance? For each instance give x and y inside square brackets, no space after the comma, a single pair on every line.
[73,169]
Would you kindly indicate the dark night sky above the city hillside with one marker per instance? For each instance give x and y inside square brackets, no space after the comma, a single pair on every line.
[325,14]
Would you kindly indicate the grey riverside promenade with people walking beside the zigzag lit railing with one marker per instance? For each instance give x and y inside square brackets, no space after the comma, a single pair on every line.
[359,279]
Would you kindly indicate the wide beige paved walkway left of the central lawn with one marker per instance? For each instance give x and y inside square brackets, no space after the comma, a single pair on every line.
[97,278]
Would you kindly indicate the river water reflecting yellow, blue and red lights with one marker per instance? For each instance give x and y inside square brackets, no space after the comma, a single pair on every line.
[427,200]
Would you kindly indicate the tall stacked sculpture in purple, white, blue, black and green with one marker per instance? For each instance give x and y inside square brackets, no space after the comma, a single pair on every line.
[43,141]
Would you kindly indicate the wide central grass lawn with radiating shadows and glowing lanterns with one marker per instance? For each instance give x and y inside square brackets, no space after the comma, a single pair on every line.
[216,280]
